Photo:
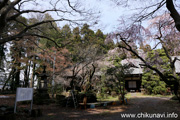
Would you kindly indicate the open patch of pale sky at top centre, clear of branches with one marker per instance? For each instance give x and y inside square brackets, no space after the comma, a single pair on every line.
[109,15]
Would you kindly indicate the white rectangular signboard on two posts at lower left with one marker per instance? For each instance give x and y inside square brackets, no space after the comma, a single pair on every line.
[23,94]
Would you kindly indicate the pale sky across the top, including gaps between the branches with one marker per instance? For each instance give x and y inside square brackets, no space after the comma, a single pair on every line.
[110,12]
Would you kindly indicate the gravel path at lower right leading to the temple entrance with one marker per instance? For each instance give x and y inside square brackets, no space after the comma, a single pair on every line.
[151,108]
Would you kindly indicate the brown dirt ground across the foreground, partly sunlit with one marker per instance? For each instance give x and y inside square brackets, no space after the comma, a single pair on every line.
[142,107]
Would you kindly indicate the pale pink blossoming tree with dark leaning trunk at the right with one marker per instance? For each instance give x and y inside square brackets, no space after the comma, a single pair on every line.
[165,33]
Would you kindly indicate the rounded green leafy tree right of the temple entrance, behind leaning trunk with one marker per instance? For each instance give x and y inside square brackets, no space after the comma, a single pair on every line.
[151,82]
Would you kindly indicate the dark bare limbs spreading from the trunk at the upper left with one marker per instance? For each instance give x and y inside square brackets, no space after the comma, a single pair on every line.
[10,11]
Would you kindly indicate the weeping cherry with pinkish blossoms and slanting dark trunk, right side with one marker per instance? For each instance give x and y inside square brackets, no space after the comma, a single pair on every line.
[162,35]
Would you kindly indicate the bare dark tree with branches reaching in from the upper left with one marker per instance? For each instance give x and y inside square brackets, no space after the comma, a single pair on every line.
[11,12]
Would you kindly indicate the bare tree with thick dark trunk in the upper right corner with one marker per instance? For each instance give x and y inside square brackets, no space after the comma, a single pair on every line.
[150,9]
